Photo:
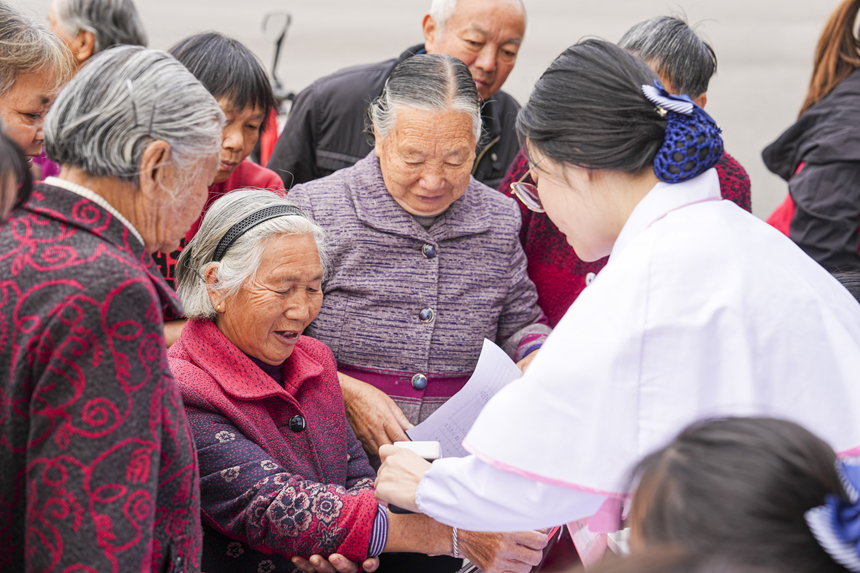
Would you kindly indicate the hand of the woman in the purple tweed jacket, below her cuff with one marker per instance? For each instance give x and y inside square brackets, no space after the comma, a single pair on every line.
[374,417]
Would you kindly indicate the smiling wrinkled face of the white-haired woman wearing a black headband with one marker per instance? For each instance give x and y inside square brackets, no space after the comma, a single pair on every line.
[266,317]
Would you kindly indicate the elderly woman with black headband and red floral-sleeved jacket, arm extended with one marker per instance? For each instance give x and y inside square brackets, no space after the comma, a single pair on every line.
[283,476]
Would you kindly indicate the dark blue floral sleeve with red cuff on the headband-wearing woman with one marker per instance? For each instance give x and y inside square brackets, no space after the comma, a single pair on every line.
[249,497]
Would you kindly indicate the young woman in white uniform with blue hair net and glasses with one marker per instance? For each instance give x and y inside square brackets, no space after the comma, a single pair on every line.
[702,310]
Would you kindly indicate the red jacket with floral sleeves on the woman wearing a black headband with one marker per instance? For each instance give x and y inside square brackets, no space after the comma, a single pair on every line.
[267,491]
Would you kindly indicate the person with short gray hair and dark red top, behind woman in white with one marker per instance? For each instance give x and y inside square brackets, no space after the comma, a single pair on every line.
[685,64]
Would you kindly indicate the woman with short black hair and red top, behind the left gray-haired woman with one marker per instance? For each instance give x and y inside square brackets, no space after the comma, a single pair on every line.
[237,80]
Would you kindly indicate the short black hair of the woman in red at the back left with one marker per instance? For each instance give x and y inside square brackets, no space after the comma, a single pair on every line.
[227,69]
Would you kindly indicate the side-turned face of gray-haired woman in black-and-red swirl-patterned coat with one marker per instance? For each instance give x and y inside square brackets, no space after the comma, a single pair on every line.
[178,204]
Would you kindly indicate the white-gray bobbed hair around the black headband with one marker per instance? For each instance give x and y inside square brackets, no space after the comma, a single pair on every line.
[242,260]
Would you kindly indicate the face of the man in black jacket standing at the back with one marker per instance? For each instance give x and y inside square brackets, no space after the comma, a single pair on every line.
[484,34]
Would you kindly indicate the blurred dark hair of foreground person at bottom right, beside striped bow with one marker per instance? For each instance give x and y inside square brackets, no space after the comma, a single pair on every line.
[741,483]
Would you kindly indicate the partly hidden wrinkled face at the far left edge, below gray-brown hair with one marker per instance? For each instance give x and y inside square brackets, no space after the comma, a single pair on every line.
[23,110]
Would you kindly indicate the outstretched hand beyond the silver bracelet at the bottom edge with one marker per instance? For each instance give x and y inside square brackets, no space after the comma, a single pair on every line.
[497,552]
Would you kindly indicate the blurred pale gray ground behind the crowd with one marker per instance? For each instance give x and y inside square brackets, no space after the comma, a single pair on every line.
[765,49]
